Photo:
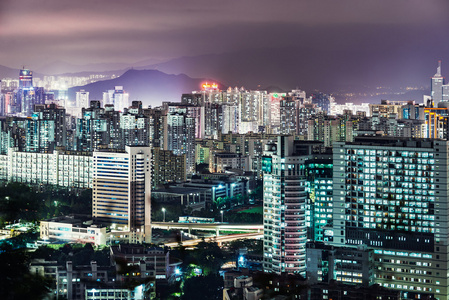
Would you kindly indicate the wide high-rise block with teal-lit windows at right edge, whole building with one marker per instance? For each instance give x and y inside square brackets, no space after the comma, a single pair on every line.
[391,195]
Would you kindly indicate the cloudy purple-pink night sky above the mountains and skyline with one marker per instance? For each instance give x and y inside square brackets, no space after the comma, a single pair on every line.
[345,32]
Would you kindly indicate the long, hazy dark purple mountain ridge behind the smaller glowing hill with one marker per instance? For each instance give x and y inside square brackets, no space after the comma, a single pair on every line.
[324,69]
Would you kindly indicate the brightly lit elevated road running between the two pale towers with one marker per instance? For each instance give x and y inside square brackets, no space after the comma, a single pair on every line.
[217,227]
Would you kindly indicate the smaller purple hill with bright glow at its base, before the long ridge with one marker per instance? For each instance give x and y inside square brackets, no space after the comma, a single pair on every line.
[149,86]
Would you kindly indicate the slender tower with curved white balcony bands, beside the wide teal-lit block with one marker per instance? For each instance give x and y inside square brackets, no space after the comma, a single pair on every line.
[284,184]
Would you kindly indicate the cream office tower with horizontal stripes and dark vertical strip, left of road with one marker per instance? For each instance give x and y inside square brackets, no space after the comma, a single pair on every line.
[121,191]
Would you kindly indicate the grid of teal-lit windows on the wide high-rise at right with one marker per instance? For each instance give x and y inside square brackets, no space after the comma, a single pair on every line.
[390,189]
